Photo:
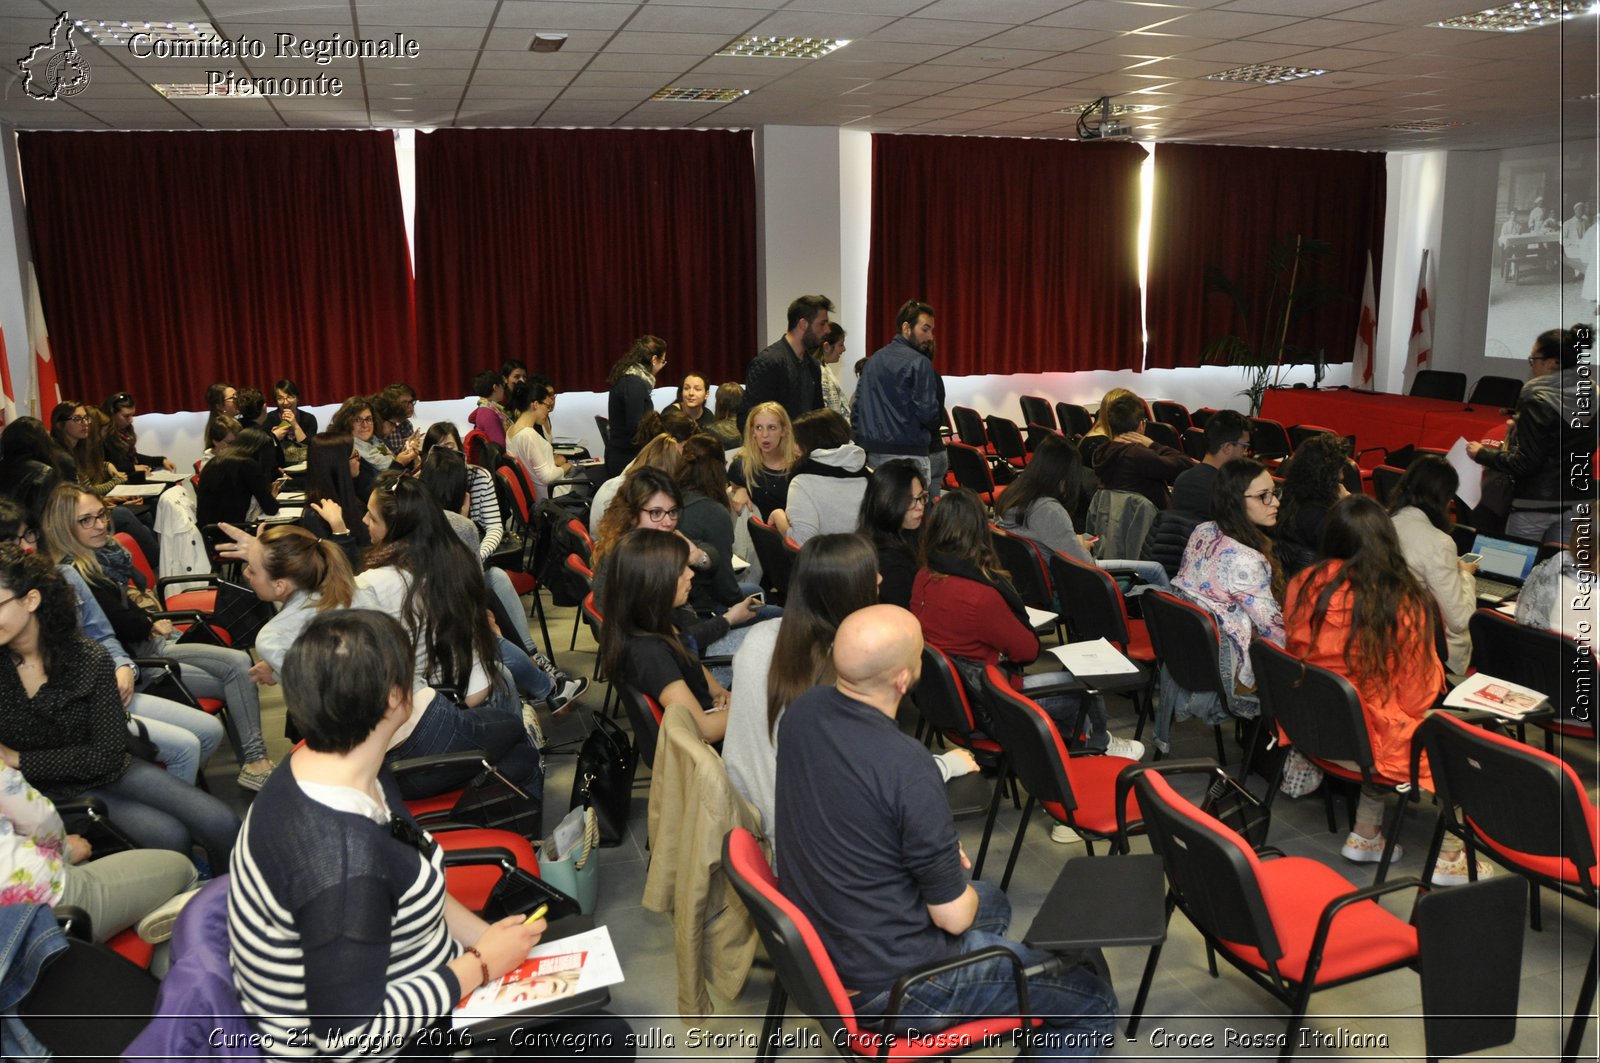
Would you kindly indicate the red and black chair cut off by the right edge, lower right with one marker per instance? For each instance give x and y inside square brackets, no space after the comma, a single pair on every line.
[1527,811]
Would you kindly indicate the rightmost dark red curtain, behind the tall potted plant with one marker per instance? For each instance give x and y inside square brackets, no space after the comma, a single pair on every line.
[1226,207]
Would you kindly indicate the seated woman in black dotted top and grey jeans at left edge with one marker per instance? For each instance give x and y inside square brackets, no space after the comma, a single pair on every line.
[63,726]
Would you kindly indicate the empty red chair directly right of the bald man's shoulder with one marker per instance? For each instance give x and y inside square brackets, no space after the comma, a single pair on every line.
[1076,790]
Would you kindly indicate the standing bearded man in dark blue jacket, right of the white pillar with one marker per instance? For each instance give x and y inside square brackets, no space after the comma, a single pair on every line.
[897,403]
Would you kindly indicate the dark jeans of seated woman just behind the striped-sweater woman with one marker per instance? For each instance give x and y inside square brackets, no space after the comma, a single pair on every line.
[494,728]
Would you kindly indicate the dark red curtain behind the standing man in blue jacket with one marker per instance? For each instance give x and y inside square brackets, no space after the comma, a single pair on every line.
[1026,251]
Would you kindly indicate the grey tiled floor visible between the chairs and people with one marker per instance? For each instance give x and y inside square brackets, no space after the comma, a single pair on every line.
[1190,1014]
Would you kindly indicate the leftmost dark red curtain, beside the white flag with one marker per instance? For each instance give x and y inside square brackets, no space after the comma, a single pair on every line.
[174,260]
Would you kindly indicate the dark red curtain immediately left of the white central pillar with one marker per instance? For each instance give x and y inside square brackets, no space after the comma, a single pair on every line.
[559,247]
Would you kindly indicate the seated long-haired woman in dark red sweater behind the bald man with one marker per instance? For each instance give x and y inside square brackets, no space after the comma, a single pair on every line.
[969,609]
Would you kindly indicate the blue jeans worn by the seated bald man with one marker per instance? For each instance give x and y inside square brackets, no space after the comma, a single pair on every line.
[1078,1006]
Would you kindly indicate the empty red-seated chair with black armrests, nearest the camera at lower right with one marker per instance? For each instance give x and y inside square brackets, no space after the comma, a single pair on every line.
[1292,926]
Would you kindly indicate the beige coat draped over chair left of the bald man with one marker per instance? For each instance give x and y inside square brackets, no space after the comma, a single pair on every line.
[692,808]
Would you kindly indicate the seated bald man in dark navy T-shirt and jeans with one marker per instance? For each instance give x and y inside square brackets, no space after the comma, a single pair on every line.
[873,859]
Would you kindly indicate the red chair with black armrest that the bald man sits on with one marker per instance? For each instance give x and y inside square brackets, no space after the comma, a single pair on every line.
[806,973]
